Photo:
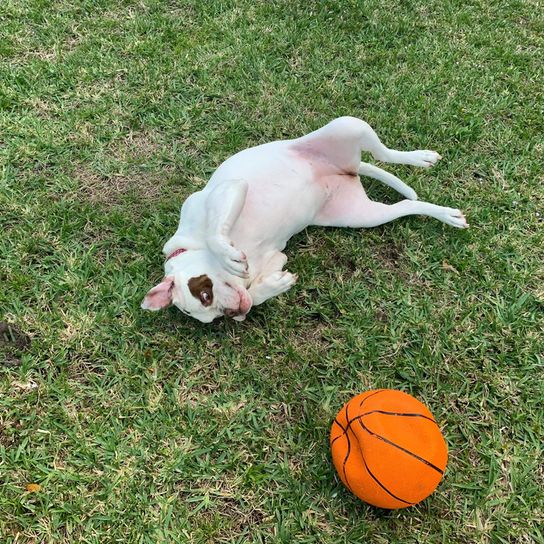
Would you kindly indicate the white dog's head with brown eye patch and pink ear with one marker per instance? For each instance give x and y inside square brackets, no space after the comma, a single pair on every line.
[195,283]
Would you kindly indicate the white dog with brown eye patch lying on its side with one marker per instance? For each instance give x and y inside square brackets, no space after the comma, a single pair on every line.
[226,255]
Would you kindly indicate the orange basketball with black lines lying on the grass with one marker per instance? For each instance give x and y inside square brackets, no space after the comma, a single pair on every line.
[387,448]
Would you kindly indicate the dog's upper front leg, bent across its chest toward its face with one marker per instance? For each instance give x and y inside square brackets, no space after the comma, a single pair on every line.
[223,207]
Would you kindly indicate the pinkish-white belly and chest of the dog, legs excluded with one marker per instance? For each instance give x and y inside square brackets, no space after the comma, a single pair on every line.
[283,198]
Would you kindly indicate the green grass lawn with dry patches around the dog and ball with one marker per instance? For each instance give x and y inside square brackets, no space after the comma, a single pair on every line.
[150,428]
